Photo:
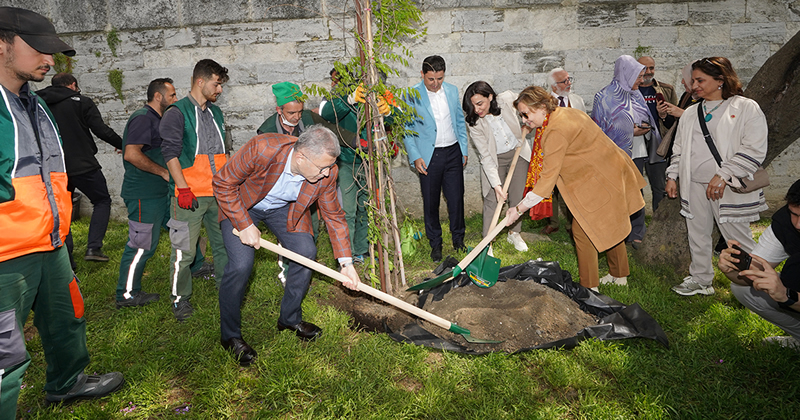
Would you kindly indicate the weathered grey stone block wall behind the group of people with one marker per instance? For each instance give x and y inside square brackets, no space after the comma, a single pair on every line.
[509,43]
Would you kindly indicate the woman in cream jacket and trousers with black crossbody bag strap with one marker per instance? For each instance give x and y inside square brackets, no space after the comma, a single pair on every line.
[738,131]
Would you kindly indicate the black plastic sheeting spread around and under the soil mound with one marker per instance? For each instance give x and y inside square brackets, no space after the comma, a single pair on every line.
[618,321]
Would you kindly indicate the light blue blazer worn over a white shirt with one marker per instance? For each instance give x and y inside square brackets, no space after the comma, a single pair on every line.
[421,145]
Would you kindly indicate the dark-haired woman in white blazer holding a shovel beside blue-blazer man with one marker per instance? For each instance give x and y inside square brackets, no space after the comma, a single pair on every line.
[496,132]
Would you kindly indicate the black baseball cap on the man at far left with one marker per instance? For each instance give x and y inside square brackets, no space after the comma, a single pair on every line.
[34,29]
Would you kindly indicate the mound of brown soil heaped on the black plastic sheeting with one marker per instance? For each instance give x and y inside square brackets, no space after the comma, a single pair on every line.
[523,314]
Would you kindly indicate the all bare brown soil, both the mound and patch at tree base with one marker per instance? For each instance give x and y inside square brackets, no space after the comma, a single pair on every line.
[523,314]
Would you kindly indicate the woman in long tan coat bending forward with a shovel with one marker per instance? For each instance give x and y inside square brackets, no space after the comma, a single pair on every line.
[598,182]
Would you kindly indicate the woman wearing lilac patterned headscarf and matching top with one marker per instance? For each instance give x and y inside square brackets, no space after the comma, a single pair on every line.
[621,112]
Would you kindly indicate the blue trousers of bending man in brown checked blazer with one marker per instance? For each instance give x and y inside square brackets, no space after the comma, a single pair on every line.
[240,265]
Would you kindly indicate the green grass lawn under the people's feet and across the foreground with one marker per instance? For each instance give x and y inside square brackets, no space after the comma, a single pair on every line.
[716,366]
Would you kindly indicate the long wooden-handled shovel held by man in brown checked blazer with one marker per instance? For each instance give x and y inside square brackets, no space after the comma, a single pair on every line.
[433,319]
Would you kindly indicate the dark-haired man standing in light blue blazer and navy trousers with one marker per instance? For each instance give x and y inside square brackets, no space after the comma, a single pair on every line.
[439,152]
